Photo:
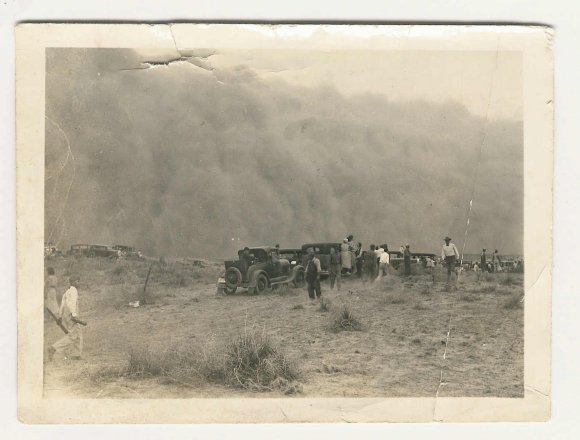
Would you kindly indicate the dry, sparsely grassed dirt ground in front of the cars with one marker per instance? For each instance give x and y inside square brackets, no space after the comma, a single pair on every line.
[419,337]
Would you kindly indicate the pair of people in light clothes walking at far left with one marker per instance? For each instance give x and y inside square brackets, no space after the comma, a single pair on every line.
[66,315]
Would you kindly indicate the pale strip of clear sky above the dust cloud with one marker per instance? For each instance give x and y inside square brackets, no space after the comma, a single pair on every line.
[486,82]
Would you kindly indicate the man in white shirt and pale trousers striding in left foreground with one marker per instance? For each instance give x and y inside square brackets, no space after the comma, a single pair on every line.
[69,318]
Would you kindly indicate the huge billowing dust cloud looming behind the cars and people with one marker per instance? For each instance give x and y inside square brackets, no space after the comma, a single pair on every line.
[187,160]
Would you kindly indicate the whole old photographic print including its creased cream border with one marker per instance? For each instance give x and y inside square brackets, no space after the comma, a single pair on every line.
[223,223]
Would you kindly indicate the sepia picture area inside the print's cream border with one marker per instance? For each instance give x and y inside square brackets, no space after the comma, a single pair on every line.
[171,179]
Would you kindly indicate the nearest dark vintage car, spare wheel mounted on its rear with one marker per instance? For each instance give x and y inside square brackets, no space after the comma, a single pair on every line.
[261,269]
